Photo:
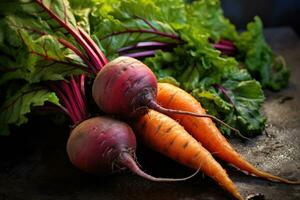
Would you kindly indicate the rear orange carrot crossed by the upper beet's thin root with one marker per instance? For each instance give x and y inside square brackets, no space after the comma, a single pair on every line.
[205,131]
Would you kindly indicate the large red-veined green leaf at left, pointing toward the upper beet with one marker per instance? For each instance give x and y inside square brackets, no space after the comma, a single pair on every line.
[38,55]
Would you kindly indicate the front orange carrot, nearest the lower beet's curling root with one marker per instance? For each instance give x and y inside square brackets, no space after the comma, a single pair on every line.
[163,134]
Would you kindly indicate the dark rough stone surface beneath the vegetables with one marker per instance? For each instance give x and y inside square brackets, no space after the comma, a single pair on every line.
[34,164]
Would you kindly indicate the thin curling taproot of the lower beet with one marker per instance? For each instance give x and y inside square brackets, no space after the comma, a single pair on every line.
[127,160]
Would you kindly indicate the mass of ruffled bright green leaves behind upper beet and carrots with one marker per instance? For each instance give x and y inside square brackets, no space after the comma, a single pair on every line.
[194,63]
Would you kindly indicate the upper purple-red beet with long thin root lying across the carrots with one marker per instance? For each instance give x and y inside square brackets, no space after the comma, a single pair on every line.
[127,87]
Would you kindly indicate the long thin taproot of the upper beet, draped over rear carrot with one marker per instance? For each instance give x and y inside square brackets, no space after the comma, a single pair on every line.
[155,106]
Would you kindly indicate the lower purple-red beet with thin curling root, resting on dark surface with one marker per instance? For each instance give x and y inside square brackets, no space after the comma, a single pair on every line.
[102,145]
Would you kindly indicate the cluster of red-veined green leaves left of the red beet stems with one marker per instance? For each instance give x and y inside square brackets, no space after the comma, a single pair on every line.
[31,56]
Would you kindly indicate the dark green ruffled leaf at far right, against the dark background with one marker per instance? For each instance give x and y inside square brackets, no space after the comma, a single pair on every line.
[259,58]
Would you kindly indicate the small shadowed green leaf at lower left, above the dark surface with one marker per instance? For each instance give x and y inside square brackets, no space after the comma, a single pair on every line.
[15,108]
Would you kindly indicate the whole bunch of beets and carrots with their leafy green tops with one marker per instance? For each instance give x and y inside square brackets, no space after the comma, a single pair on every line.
[48,55]
